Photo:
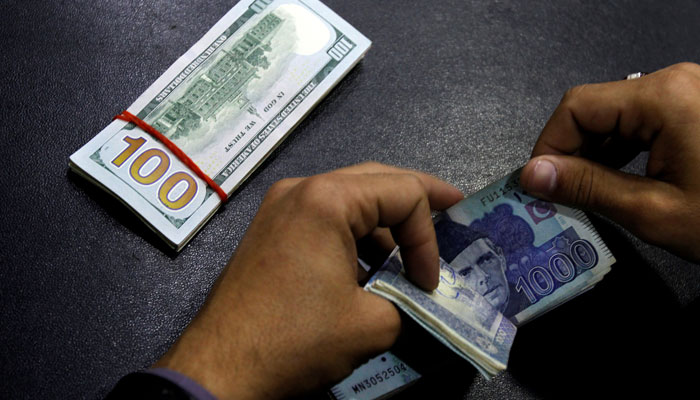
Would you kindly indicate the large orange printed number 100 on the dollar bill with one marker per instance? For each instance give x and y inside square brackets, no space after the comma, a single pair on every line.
[156,173]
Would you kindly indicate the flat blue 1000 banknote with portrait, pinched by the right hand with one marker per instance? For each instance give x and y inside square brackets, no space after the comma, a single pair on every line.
[524,255]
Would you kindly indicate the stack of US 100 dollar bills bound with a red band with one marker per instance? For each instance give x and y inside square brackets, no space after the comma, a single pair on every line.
[227,103]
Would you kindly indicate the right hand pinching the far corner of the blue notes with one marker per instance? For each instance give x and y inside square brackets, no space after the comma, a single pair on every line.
[598,128]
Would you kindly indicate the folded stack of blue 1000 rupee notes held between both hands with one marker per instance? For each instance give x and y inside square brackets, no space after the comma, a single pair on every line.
[505,258]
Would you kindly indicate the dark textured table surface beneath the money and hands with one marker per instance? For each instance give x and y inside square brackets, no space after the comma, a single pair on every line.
[457,88]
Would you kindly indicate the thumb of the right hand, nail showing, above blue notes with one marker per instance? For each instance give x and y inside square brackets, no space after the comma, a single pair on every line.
[640,204]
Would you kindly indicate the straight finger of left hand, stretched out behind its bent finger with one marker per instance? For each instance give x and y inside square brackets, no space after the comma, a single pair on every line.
[441,194]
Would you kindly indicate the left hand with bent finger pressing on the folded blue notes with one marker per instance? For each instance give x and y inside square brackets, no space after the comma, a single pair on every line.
[287,314]
